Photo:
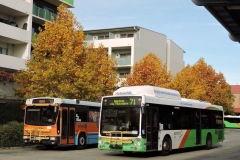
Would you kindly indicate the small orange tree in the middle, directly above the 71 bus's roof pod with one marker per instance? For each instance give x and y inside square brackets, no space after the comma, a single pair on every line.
[148,71]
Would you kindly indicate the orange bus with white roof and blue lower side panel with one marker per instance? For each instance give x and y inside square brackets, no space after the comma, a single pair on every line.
[60,122]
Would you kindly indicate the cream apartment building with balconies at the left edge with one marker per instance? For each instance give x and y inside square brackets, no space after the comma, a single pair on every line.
[19,19]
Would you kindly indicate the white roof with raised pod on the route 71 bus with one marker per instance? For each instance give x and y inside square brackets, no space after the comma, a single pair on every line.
[163,96]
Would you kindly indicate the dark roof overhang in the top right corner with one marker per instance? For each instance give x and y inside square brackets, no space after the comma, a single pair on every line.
[227,12]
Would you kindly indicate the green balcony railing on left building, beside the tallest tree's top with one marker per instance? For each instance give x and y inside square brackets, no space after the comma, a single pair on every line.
[43,13]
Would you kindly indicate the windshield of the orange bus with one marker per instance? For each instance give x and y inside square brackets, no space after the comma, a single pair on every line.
[41,116]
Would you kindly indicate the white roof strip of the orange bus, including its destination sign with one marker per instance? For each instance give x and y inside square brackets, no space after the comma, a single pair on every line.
[46,100]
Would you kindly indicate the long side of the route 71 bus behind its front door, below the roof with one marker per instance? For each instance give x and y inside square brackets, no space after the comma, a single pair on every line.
[183,127]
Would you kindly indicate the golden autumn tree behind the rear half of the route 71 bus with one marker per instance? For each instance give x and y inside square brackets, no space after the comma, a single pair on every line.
[201,82]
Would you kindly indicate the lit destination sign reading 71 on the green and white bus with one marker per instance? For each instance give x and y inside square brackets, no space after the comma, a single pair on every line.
[122,101]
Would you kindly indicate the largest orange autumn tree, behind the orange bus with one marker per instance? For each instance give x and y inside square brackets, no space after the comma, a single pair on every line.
[63,65]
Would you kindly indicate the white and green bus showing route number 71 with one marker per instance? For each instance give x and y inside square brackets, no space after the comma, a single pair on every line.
[148,118]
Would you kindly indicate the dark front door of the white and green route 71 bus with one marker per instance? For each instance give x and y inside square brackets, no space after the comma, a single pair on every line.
[152,128]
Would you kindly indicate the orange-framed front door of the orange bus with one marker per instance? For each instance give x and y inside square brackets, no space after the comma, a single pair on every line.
[68,126]
